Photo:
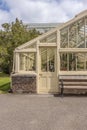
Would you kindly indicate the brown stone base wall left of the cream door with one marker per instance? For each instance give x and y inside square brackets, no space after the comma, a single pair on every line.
[23,83]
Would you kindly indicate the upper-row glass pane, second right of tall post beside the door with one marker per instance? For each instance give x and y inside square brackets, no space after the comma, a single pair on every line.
[72,35]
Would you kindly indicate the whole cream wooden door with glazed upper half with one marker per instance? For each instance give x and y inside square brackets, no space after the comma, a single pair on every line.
[48,73]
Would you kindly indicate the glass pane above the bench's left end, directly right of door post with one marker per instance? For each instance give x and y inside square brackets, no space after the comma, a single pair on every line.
[63,61]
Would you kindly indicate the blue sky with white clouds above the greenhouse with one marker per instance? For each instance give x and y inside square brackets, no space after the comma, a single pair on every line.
[40,11]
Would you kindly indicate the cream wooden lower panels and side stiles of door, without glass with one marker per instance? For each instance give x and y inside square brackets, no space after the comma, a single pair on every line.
[48,80]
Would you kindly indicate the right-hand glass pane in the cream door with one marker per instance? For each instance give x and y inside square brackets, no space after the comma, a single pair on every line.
[51,59]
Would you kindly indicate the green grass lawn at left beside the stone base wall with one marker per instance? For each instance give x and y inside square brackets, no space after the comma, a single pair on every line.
[4,82]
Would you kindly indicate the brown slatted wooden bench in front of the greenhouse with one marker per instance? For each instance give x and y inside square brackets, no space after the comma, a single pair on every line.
[72,82]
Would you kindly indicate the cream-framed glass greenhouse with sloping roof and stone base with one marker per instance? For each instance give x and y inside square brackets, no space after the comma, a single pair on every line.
[61,51]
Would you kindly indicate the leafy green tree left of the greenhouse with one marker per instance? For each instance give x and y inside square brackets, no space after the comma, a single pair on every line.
[11,36]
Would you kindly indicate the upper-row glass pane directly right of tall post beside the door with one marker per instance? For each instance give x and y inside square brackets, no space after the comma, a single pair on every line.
[64,38]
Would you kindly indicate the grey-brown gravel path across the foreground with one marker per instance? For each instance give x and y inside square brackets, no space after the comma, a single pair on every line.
[42,112]
